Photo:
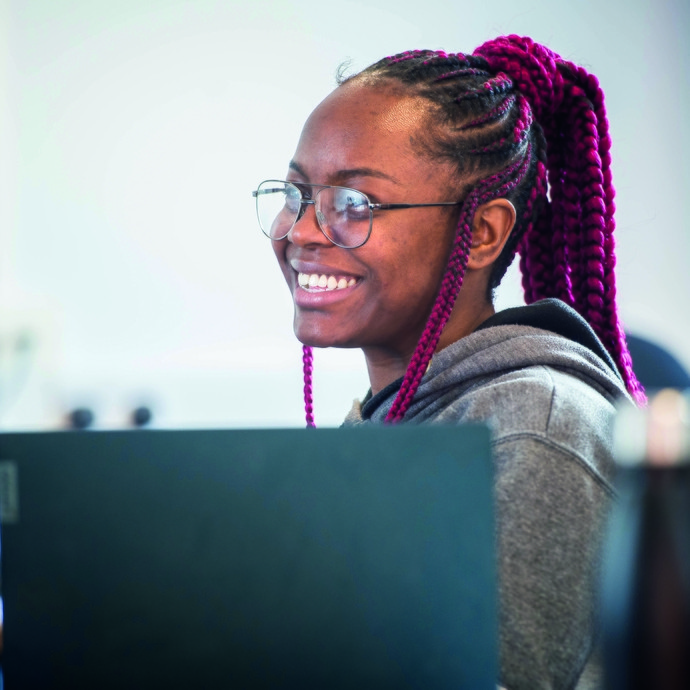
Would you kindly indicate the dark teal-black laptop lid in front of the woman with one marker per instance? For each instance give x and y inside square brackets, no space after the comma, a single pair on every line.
[334,558]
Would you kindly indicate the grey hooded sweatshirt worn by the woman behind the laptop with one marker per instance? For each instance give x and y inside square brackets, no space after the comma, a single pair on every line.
[550,403]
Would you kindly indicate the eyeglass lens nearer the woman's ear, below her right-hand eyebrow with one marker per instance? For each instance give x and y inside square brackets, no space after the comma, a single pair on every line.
[344,216]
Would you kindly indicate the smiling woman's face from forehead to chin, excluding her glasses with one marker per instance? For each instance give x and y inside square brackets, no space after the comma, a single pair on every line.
[361,137]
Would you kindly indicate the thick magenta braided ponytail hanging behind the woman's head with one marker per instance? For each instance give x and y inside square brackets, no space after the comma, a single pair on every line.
[568,103]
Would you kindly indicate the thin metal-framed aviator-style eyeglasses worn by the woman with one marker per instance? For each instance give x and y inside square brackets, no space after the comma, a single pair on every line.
[344,215]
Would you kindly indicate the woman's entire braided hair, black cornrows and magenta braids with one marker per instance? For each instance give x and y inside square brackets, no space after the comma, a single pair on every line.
[519,122]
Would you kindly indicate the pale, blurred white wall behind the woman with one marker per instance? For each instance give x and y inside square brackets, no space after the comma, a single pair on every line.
[132,269]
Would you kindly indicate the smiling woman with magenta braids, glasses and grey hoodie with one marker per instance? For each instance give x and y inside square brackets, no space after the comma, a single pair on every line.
[413,186]
